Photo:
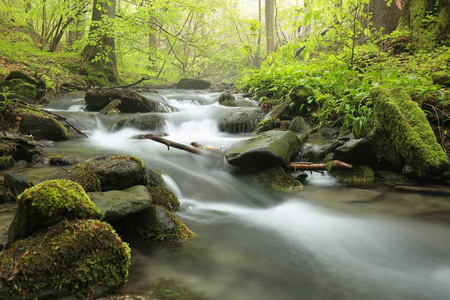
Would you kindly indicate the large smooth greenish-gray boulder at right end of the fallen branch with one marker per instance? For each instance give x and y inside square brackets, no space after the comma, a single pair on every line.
[270,148]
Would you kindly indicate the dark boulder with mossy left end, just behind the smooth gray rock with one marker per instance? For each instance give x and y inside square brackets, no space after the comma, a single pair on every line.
[107,173]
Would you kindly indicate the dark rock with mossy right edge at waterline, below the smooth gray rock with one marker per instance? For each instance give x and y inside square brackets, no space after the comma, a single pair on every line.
[155,226]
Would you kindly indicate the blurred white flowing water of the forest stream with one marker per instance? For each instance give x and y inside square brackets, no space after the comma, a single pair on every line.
[255,244]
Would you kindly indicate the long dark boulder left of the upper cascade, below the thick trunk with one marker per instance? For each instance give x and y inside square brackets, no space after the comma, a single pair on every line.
[131,102]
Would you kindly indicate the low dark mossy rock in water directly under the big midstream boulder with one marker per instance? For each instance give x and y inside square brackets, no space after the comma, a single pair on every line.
[276,179]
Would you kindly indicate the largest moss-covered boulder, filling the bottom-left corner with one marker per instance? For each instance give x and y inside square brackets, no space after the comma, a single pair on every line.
[80,259]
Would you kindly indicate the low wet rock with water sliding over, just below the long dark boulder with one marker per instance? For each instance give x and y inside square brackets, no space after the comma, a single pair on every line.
[146,121]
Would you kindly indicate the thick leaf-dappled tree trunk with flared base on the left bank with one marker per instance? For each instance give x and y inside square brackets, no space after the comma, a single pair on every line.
[101,49]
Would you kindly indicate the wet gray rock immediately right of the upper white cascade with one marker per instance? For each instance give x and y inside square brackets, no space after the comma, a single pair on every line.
[240,120]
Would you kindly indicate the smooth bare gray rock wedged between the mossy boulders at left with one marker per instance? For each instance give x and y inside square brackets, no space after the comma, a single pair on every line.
[118,204]
